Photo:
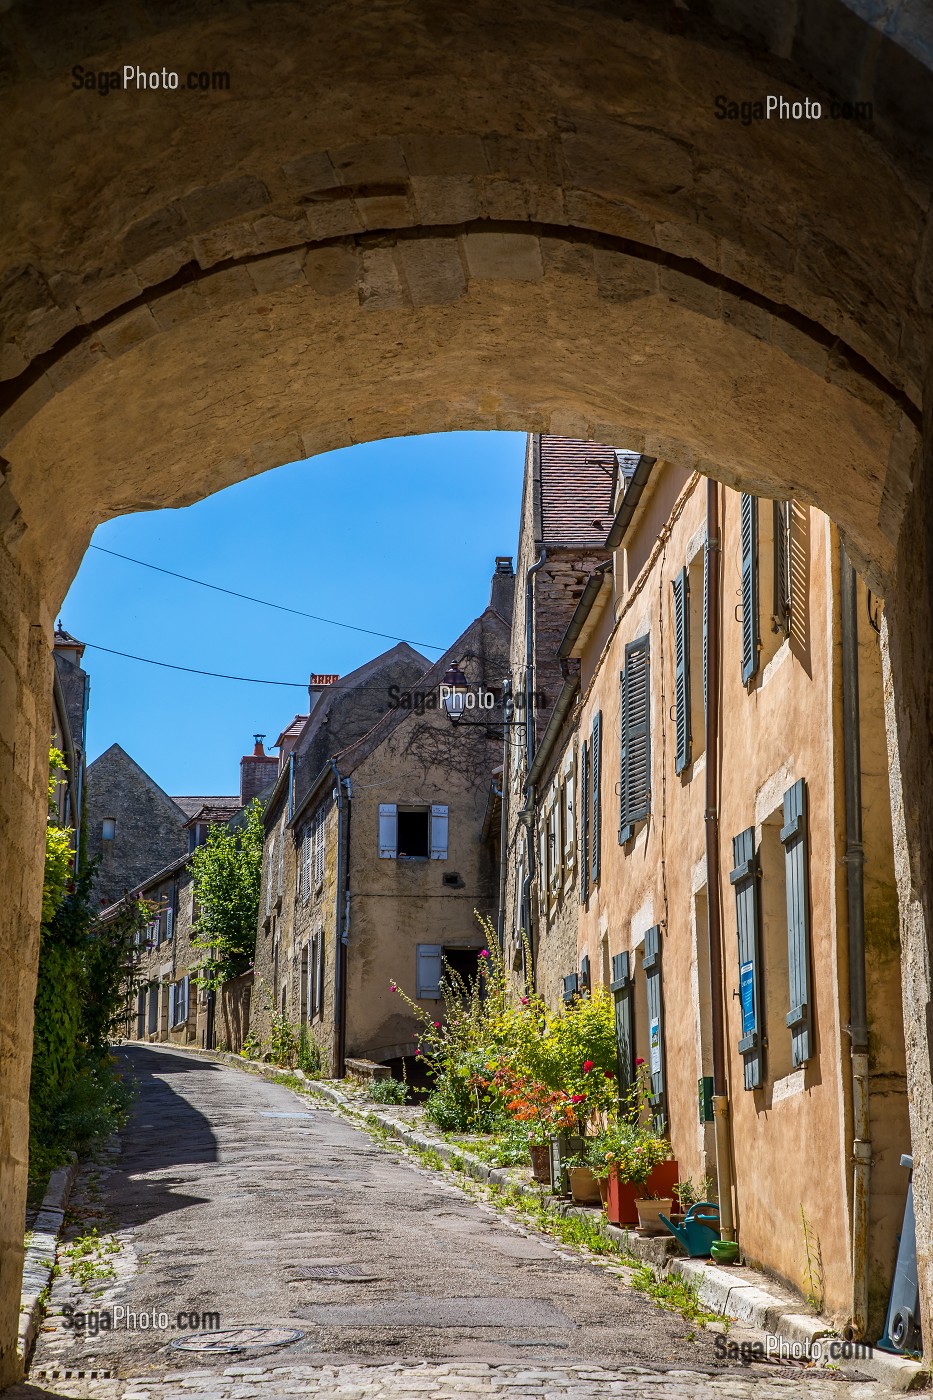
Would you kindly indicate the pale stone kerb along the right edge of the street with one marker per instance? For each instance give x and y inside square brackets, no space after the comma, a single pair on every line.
[742,1294]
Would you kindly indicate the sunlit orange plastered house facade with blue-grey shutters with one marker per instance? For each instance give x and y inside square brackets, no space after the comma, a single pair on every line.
[630,867]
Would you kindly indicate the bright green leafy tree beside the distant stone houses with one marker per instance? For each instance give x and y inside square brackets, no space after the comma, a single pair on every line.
[228,873]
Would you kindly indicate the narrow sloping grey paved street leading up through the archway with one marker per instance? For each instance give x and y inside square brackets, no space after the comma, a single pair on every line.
[232,1196]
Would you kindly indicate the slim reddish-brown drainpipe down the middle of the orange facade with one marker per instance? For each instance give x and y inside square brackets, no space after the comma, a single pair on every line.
[714,881]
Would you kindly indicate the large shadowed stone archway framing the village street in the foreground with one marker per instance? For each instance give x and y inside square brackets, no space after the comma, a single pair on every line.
[410,219]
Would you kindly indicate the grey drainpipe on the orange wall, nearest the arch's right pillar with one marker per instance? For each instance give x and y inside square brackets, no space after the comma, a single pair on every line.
[858,1003]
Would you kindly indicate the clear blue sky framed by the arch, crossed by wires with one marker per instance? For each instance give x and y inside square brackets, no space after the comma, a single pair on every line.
[400,537]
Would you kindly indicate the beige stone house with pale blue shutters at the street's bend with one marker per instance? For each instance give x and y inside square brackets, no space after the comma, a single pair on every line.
[376,876]
